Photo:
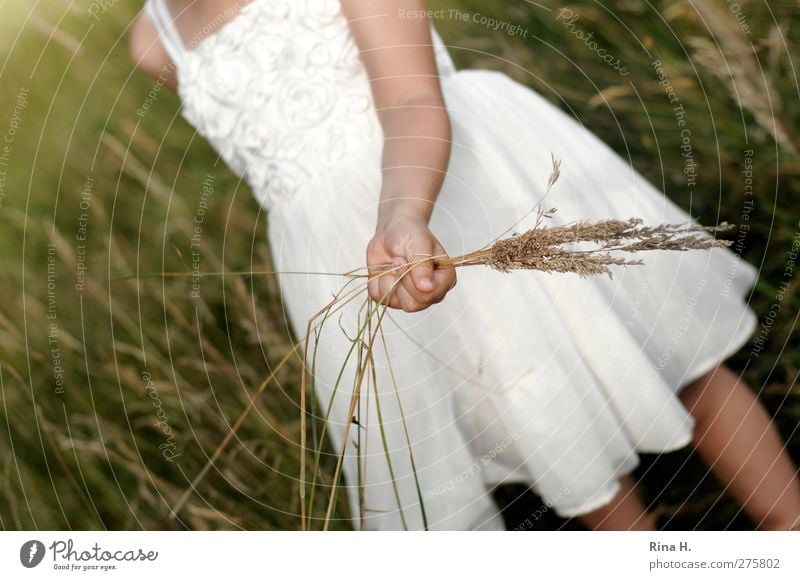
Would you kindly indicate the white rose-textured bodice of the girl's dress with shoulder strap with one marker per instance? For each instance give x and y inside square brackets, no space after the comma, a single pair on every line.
[279,90]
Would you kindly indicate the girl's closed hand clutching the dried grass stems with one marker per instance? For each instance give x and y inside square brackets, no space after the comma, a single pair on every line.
[400,241]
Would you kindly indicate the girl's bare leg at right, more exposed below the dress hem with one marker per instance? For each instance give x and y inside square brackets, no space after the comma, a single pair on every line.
[736,438]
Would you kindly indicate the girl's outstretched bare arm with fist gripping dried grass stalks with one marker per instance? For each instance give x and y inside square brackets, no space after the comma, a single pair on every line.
[395,45]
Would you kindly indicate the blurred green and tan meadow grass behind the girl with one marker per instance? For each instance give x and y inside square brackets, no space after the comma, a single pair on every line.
[90,183]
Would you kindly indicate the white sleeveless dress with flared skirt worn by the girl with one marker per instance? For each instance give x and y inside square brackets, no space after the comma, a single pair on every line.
[546,379]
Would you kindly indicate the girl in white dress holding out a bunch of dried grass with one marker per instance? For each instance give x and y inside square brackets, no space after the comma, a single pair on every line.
[354,130]
